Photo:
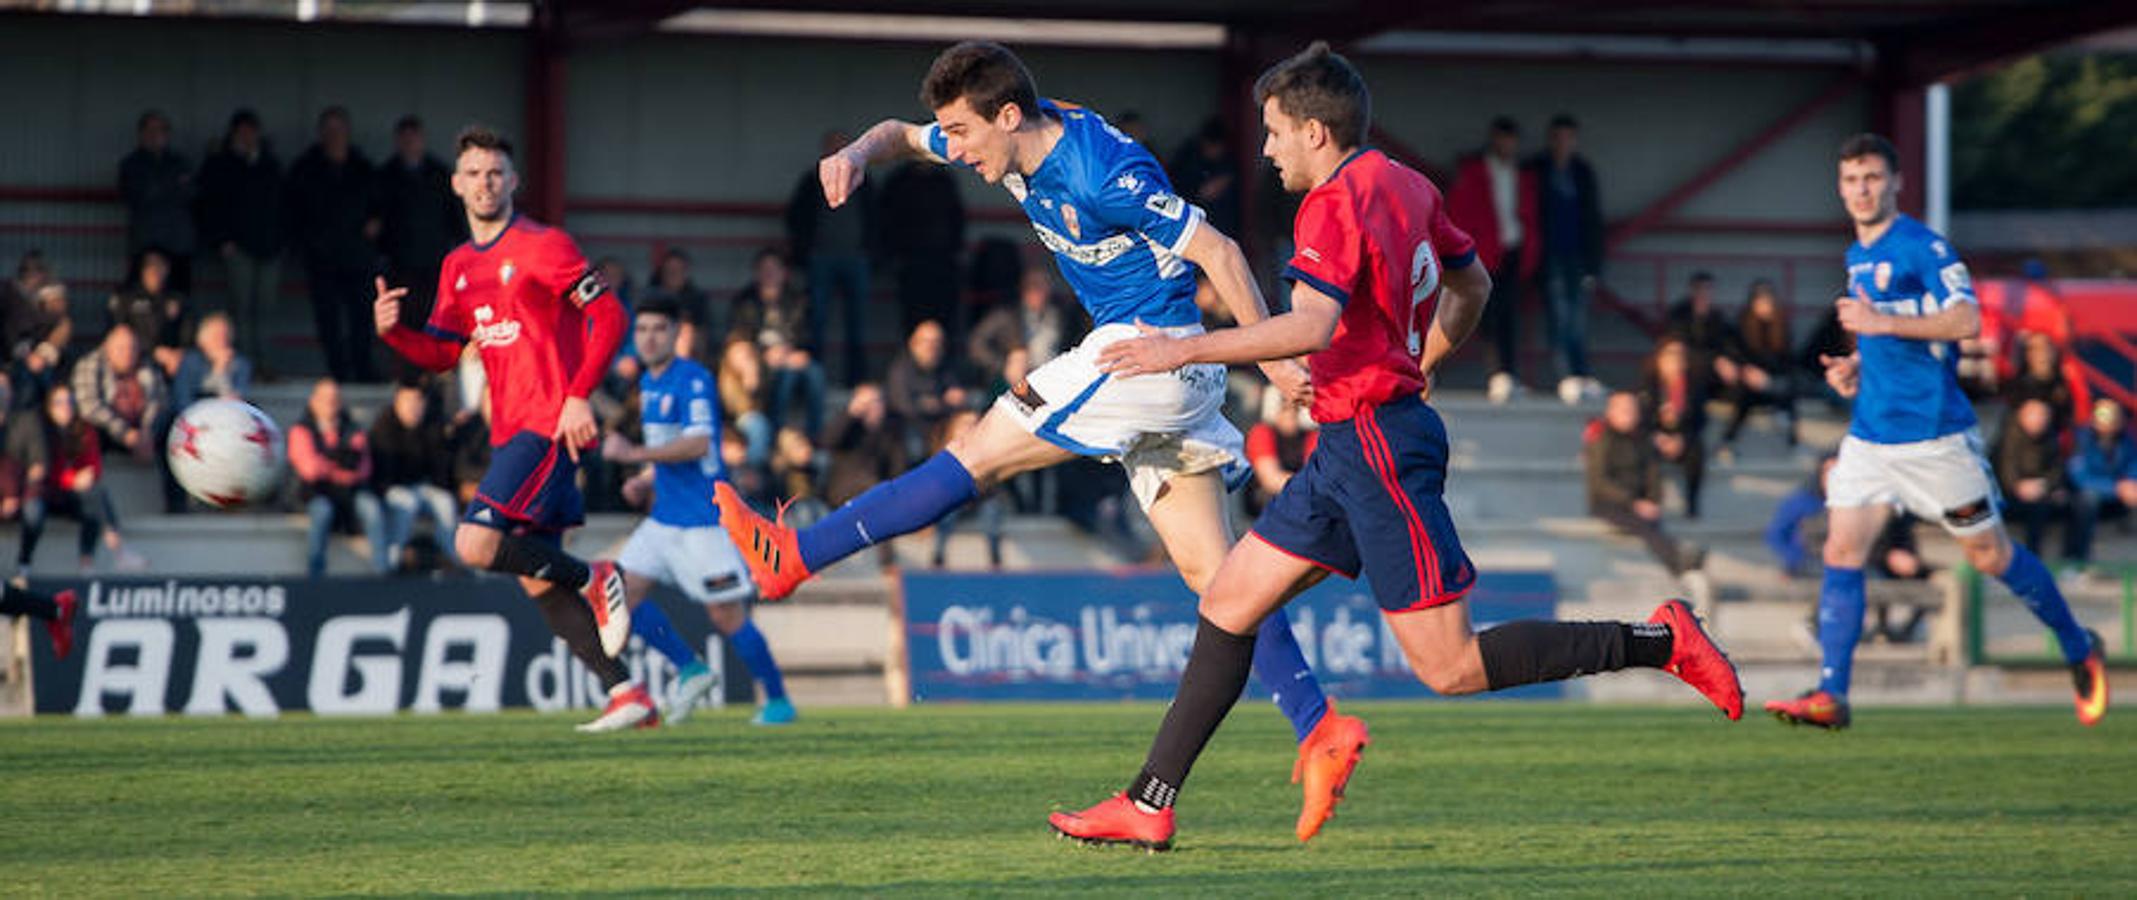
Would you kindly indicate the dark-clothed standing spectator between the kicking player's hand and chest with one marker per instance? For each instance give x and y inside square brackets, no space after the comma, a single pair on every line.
[924,234]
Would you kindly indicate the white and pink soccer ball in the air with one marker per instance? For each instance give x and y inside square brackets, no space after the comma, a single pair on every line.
[225,452]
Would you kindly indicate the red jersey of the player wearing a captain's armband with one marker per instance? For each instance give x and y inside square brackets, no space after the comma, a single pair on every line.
[522,302]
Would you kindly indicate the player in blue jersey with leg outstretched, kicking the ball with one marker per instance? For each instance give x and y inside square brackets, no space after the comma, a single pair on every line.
[1132,251]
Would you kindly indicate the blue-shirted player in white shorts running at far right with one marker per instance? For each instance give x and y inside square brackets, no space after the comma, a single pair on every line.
[1914,441]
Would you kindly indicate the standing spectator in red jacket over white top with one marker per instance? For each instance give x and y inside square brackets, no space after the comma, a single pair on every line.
[1495,200]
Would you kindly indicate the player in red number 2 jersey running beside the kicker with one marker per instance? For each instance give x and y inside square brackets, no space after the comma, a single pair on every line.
[1384,290]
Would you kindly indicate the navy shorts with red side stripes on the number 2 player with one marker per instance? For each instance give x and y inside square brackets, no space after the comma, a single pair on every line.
[1369,503]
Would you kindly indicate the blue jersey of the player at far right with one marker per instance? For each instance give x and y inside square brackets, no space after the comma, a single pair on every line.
[1909,388]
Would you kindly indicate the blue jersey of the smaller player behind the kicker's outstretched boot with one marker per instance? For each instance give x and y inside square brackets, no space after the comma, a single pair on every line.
[681,403]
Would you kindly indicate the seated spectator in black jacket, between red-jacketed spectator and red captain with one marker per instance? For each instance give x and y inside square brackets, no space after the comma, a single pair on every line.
[411,469]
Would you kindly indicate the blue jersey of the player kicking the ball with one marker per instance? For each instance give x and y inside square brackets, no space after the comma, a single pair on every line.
[1104,206]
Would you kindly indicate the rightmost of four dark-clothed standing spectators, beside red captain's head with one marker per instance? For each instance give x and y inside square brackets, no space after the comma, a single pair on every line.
[416,219]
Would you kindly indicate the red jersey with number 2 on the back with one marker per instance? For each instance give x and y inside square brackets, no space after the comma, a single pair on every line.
[1377,238]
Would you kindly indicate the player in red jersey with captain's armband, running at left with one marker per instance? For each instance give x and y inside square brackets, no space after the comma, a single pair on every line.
[546,328]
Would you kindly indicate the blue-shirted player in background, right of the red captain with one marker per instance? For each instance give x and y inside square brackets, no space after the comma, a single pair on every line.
[683,544]
